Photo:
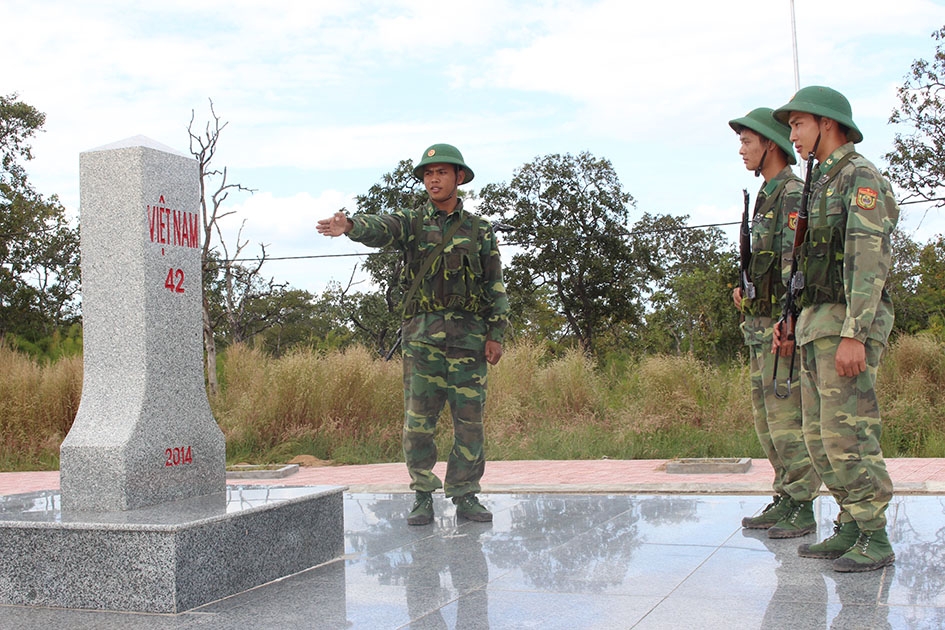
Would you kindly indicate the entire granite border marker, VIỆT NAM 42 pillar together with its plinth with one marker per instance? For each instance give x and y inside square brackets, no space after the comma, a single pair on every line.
[144,520]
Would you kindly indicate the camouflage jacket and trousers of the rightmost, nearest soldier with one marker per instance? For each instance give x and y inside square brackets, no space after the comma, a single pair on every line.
[852,215]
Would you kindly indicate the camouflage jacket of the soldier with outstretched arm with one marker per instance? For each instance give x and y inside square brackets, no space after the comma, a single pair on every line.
[461,301]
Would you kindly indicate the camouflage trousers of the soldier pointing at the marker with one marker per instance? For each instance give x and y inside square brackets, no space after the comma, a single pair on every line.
[433,376]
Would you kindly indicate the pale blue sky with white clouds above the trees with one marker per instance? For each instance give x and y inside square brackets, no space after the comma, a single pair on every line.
[322,98]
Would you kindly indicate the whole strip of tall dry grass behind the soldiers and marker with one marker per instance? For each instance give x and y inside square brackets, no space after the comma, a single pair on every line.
[346,406]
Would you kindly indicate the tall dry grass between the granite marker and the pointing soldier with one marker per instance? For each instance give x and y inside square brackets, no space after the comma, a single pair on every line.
[342,405]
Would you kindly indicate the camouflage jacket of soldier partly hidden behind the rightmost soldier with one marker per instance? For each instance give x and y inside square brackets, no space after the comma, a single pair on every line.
[772,248]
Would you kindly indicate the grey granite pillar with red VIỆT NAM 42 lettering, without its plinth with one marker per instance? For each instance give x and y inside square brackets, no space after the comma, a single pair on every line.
[144,433]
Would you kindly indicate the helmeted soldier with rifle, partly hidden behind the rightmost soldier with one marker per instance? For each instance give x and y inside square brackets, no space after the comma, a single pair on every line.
[766,149]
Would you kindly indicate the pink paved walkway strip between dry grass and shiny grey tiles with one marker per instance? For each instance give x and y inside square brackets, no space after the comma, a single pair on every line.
[639,476]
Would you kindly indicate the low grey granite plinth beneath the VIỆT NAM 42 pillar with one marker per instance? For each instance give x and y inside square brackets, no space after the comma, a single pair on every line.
[164,559]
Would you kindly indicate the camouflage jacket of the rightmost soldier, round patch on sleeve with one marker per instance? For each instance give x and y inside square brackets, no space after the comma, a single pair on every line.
[858,201]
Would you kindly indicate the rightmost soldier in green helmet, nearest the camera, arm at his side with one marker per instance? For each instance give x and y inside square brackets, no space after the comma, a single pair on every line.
[845,320]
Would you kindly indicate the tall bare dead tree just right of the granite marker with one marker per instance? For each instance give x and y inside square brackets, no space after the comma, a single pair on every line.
[203,146]
